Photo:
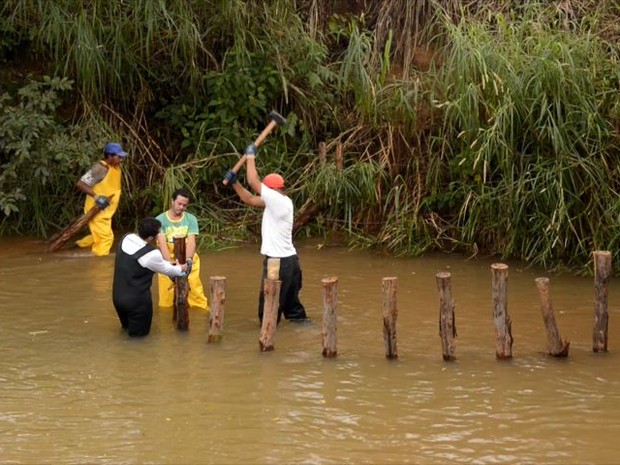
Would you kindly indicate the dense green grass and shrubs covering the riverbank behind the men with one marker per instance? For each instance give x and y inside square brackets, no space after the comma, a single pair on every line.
[487,129]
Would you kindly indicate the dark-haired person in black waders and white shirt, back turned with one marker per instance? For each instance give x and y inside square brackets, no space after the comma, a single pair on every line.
[136,263]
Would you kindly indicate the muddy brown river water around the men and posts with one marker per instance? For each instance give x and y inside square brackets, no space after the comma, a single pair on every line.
[75,390]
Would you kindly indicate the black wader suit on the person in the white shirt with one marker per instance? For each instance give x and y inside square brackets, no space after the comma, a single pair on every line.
[131,291]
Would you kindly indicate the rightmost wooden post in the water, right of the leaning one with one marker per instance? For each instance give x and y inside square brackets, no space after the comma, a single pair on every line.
[602,273]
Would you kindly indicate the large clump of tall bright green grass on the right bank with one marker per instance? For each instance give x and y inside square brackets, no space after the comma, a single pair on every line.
[527,105]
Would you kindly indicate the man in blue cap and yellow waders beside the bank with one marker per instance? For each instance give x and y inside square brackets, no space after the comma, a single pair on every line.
[102,185]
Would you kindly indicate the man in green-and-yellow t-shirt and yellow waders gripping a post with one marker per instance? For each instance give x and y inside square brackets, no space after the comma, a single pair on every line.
[176,222]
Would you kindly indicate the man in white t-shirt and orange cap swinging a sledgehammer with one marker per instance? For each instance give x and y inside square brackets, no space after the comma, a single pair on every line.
[276,235]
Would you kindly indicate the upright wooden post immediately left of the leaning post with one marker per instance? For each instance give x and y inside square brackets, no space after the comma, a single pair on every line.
[501,319]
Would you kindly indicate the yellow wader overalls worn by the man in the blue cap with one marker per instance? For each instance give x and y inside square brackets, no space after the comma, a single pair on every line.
[101,235]
